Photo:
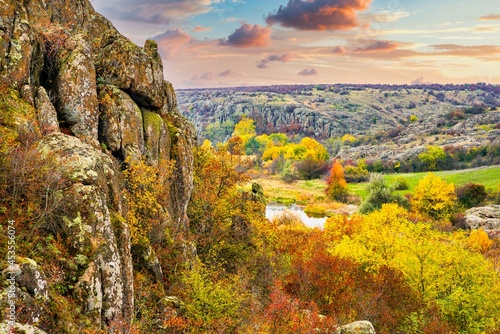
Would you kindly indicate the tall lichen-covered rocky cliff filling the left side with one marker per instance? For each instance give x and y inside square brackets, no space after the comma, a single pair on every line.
[95,103]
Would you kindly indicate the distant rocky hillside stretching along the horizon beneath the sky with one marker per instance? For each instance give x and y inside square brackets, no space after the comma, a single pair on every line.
[388,122]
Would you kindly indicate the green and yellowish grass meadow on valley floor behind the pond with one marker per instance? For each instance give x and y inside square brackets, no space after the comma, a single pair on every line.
[312,191]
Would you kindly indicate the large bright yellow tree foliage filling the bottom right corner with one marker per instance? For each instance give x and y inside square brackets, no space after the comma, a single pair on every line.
[461,284]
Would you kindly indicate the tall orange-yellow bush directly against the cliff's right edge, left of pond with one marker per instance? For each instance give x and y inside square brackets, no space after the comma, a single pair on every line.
[221,215]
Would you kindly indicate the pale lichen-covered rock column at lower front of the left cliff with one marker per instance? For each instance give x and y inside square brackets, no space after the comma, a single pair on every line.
[102,285]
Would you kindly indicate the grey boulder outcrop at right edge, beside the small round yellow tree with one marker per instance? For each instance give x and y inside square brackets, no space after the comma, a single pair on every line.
[485,217]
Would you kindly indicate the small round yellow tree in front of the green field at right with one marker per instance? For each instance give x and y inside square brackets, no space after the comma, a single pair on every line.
[434,197]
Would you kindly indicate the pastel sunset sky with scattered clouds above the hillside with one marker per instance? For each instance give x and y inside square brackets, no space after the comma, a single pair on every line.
[228,43]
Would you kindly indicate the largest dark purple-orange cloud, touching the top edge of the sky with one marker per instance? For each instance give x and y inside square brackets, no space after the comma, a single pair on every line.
[319,14]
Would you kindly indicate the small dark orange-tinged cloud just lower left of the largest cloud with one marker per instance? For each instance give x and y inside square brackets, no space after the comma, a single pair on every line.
[248,36]
